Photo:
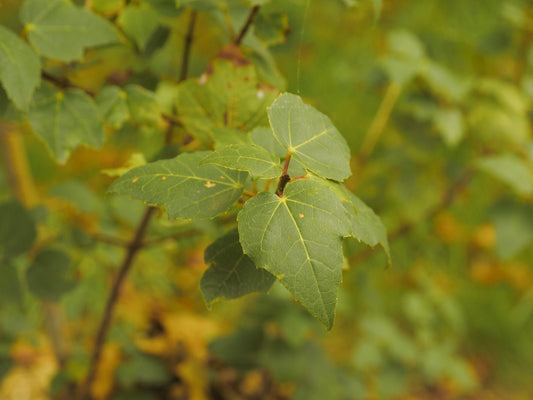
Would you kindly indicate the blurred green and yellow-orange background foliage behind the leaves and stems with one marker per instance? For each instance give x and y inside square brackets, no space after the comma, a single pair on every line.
[435,99]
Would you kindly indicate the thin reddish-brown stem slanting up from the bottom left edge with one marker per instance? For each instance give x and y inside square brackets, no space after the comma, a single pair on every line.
[103,329]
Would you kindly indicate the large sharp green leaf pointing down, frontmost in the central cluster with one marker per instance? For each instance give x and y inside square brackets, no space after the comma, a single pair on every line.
[298,238]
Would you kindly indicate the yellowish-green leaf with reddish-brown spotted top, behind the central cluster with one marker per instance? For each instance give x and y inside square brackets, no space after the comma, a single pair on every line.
[230,97]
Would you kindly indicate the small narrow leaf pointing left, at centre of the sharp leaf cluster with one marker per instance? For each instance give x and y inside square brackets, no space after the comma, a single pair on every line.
[246,157]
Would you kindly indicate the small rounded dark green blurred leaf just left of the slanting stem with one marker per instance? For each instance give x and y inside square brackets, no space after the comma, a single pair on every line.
[50,275]
